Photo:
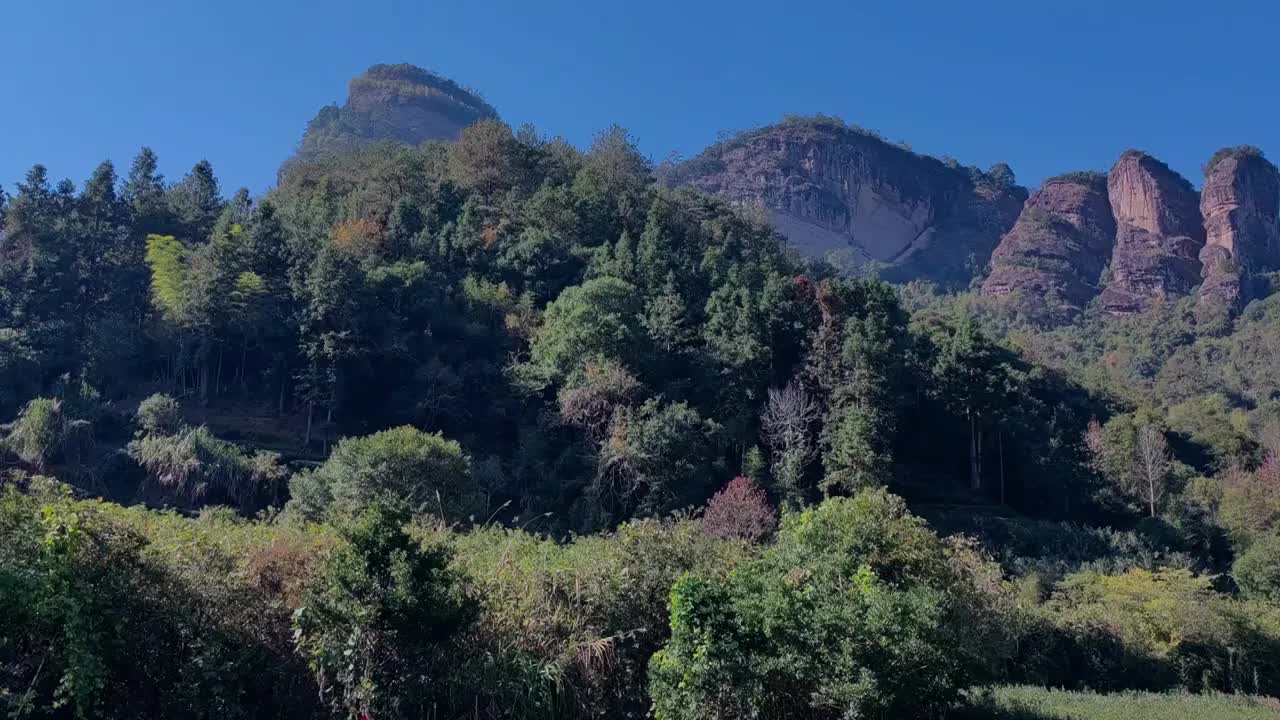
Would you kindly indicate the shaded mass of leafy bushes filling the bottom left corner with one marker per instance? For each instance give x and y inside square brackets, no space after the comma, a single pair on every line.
[113,613]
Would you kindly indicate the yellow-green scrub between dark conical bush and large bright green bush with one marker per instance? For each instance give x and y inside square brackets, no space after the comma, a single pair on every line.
[578,622]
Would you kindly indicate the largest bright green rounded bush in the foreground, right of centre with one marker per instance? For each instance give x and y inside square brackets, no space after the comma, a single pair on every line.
[858,610]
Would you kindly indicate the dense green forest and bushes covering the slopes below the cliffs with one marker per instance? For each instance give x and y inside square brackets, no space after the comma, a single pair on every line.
[501,429]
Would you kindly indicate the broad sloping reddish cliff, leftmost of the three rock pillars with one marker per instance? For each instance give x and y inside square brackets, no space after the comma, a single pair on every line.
[1054,257]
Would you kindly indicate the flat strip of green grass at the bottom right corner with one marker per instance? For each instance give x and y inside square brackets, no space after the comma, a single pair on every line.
[1040,704]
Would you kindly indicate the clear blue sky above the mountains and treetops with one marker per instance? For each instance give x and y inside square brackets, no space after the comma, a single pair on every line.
[1044,86]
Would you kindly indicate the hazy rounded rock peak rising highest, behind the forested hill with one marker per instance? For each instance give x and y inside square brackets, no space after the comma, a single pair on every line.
[399,103]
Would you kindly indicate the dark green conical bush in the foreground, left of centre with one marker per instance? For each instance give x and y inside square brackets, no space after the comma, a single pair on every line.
[377,625]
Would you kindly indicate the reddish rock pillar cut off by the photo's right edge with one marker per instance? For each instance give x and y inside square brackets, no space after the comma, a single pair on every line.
[1241,203]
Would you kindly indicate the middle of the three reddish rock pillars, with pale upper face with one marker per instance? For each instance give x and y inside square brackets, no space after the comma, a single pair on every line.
[1159,234]
